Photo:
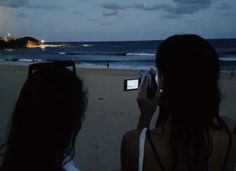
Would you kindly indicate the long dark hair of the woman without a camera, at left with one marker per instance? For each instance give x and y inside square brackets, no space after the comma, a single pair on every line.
[46,120]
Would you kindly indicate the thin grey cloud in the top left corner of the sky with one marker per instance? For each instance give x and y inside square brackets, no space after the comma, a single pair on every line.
[26,4]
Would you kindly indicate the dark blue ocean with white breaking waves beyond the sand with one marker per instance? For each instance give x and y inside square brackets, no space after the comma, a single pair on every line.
[120,54]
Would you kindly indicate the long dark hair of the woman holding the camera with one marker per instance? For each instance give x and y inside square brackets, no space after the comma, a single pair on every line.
[189,67]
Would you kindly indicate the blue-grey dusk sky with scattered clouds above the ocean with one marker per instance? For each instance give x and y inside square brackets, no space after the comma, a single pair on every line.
[115,20]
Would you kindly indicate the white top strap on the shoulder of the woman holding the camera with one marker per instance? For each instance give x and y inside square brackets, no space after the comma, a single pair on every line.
[142,138]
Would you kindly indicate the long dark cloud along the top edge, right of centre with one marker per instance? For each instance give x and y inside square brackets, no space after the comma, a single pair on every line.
[178,7]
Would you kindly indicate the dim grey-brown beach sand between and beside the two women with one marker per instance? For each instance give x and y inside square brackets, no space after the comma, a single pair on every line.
[111,112]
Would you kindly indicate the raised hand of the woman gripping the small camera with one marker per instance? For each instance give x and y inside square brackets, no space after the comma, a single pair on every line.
[147,106]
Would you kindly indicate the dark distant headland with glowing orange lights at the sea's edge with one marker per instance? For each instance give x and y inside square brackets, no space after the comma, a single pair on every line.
[24,42]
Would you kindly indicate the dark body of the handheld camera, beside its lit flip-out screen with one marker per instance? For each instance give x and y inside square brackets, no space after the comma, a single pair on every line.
[152,86]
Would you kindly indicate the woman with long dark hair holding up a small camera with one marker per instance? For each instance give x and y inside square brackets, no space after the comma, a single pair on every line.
[190,135]
